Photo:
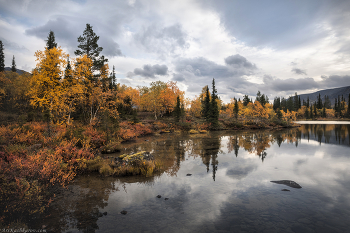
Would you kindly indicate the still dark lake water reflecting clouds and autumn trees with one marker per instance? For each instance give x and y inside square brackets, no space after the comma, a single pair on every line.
[230,189]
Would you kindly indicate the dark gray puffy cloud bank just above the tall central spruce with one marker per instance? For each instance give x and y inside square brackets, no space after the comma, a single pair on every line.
[230,78]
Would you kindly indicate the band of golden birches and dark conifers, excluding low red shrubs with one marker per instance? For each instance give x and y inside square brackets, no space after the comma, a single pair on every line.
[82,88]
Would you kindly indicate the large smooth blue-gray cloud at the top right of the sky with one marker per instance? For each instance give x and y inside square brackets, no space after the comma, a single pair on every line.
[277,24]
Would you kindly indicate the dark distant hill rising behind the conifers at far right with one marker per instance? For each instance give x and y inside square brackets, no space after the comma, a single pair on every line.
[331,93]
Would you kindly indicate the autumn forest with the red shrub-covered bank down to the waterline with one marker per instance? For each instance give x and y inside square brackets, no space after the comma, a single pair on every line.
[58,120]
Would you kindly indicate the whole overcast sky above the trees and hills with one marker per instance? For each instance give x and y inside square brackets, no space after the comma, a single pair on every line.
[272,46]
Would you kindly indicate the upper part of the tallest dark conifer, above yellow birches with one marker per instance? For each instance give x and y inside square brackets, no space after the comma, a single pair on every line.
[88,45]
